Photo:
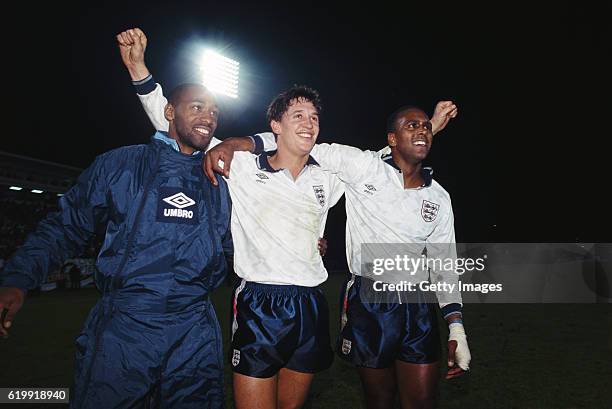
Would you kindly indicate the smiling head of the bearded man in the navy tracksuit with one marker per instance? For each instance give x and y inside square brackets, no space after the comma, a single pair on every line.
[192,113]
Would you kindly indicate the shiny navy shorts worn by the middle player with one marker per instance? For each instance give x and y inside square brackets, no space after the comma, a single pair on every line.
[279,326]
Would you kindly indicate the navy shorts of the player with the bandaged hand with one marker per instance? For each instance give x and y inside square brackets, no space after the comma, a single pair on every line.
[376,334]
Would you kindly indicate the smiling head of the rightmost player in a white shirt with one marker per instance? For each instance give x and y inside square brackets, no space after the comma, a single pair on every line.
[412,135]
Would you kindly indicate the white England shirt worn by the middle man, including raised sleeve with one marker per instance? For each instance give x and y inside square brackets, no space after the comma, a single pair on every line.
[276,220]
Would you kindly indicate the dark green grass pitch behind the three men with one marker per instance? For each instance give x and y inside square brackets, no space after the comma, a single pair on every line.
[556,356]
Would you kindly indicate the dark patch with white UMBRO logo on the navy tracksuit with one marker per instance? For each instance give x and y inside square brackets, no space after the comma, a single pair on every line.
[174,206]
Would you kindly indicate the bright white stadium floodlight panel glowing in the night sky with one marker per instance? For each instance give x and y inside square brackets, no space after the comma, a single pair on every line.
[220,74]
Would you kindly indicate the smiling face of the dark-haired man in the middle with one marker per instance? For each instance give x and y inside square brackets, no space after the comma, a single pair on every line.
[298,128]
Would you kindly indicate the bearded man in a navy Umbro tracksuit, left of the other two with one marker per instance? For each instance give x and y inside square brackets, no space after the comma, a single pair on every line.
[153,338]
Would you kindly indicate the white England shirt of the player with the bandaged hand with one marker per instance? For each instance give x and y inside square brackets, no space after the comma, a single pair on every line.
[380,210]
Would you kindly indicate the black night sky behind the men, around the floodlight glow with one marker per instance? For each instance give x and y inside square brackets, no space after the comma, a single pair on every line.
[526,152]
